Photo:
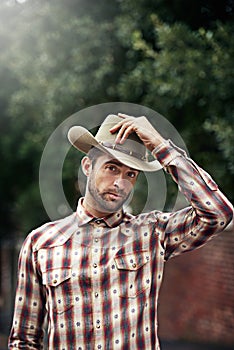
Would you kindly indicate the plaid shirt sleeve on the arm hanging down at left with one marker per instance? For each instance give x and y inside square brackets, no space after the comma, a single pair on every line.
[28,319]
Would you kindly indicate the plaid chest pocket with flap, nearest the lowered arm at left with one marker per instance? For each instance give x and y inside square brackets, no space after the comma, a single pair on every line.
[59,286]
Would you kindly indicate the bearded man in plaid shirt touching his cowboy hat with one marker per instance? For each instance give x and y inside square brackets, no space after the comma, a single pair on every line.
[95,275]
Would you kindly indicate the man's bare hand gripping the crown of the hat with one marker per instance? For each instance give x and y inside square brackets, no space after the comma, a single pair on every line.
[141,126]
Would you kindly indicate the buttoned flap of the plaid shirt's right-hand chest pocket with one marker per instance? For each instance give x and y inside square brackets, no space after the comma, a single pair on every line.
[132,261]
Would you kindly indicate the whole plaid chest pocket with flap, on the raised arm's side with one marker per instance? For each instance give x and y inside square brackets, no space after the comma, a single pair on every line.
[134,273]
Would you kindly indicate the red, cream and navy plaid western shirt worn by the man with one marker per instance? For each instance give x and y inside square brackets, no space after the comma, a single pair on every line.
[96,281]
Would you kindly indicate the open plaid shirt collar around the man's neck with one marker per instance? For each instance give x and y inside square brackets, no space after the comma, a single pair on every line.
[84,217]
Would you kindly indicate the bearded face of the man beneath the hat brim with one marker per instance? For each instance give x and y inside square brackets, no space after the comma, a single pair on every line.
[109,184]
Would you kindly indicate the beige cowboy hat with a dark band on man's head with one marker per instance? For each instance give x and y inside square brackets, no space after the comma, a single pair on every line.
[132,153]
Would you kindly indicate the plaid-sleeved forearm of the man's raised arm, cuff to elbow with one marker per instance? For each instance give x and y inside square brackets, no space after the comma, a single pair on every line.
[210,205]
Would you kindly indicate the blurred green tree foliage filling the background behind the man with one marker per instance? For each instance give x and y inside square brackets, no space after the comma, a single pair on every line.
[58,57]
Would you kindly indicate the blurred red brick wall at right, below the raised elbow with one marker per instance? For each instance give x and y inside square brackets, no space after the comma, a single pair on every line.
[197,296]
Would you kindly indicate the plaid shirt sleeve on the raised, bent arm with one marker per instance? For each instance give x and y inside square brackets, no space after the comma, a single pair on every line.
[209,211]
